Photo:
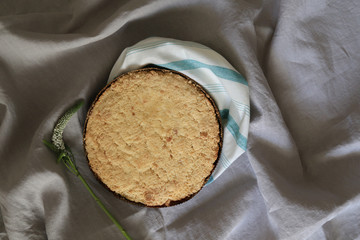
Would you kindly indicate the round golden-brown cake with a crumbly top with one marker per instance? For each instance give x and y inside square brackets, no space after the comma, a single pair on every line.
[153,136]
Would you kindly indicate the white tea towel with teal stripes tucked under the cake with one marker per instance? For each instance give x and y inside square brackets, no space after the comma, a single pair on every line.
[228,88]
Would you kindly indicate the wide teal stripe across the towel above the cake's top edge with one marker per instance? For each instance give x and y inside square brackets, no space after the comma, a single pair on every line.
[221,72]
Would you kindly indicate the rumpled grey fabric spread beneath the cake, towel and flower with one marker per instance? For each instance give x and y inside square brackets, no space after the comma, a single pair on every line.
[299,178]
